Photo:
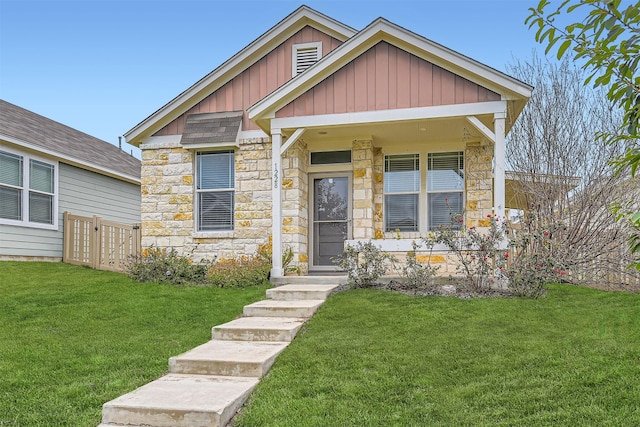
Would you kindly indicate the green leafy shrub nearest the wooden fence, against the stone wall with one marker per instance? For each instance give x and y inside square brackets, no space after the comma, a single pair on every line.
[166,266]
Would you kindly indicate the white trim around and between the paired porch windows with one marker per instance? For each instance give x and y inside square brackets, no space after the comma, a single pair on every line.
[423,219]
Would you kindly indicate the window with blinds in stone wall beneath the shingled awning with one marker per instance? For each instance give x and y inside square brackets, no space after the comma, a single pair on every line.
[215,182]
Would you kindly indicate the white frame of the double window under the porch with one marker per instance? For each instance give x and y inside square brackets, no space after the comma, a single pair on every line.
[423,198]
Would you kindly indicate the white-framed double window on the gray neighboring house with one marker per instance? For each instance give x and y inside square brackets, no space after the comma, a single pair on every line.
[27,190]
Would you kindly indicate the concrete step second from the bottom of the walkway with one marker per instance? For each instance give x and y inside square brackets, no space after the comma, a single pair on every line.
[230,358]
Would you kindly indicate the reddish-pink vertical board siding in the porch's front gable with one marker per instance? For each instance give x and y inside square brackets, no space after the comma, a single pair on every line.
[386,77]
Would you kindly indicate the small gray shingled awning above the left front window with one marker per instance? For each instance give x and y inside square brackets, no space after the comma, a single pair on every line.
[209,128]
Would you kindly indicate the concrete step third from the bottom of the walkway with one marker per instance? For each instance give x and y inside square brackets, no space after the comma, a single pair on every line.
[258,329]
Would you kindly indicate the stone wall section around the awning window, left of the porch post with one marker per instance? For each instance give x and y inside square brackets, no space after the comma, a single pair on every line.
[168,201]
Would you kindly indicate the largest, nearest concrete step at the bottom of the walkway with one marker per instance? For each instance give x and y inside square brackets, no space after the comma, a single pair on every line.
[177,400]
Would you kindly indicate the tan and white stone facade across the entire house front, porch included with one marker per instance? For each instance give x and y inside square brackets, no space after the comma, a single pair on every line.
[168,200]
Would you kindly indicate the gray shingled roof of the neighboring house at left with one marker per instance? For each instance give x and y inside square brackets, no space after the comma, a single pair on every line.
[65,142]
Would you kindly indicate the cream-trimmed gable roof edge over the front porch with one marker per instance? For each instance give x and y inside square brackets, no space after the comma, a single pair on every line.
[383,30]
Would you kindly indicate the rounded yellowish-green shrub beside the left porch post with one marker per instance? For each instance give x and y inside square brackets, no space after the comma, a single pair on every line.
[239,272]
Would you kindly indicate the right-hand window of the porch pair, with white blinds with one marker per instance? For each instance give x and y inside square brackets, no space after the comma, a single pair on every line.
[445,187]
